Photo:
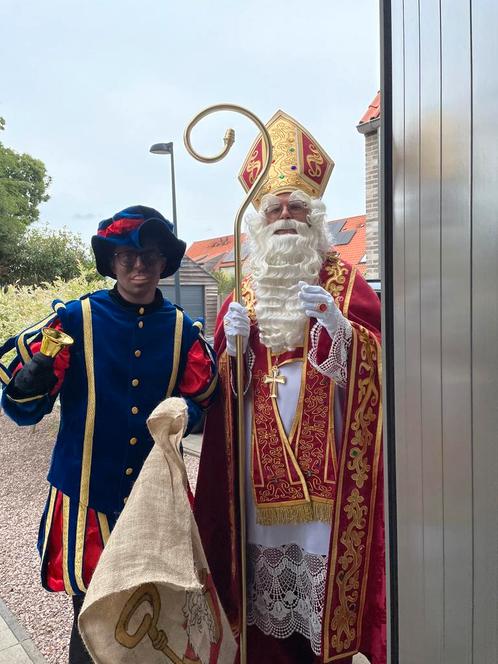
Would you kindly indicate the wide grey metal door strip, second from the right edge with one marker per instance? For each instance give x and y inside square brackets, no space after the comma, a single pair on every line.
[456,311]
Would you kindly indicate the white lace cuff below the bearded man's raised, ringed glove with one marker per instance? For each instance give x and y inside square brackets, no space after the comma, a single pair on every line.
[335,366]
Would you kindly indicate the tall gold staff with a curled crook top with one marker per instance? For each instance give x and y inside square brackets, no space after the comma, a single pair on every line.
[229,140]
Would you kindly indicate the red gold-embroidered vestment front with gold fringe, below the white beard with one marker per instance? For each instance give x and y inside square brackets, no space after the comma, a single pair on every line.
[296,489]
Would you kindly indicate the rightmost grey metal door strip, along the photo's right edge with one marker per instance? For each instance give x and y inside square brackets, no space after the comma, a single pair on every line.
[485,329]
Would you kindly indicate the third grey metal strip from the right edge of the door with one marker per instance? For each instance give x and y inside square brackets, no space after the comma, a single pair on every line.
[430,330]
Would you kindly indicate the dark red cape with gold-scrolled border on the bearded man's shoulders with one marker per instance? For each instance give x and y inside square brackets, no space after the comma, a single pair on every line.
[354,616]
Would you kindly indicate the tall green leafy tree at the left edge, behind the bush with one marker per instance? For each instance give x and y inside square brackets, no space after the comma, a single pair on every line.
[23,187]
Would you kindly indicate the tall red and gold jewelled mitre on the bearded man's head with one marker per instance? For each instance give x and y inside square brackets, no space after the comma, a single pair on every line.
[299,162]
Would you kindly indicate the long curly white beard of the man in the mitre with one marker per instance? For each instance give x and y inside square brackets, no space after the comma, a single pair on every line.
[278,263]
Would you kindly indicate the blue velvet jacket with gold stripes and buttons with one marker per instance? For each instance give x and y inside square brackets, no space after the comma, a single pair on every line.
[124,361]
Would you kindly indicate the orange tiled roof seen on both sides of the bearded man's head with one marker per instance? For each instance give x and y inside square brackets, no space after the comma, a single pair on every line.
[349,241]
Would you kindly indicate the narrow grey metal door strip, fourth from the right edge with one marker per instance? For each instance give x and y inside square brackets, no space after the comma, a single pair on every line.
[411,530]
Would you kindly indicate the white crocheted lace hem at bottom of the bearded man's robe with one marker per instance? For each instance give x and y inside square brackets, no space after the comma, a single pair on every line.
[286,591]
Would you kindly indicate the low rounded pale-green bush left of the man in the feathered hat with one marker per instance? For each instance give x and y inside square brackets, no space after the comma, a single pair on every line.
[43,255]
